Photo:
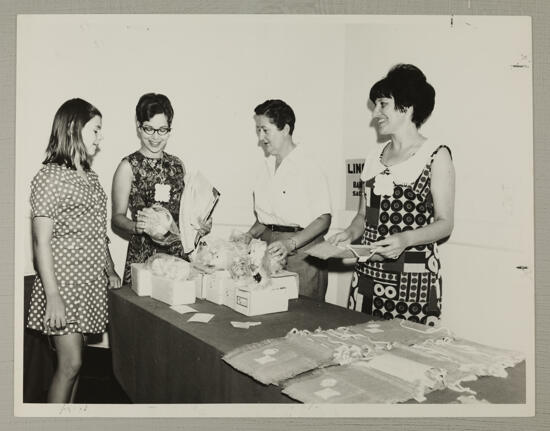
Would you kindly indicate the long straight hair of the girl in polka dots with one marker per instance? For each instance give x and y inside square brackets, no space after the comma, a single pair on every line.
[66,135]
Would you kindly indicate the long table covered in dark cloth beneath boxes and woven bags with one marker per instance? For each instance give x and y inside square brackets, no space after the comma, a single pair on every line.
[159,357]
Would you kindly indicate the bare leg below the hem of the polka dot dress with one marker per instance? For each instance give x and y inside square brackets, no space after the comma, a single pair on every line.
[69,361]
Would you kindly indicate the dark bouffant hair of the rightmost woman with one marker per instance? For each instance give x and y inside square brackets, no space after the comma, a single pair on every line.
[408,87]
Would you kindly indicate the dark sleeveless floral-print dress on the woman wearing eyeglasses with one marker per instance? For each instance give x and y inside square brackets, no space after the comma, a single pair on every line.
[167,170]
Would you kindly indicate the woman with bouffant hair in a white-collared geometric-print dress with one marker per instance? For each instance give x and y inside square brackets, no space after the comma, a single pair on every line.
[406,207]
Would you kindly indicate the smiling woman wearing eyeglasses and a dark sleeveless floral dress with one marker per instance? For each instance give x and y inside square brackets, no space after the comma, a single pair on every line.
[148,177]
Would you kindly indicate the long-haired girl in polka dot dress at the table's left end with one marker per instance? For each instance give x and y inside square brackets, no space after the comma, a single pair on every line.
[69,222]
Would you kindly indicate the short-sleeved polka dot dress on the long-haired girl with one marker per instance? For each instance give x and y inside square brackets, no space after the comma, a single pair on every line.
[78,209]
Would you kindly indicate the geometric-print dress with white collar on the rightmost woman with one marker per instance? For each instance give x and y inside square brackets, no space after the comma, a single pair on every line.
[409,287]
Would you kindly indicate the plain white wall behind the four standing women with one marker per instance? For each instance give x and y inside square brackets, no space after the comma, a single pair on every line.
[216,69]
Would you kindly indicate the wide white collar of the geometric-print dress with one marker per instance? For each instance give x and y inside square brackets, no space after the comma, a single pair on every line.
[402,173]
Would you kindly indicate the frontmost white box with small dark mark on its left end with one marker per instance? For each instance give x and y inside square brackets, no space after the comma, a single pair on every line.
[254,301]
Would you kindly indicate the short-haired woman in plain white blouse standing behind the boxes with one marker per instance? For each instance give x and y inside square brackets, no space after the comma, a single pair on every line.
[291,198]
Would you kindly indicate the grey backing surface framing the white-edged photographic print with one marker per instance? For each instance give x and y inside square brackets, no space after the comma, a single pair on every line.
[539,11]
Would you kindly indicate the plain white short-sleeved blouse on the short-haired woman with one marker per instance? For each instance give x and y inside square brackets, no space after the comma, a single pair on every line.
[295,195]
